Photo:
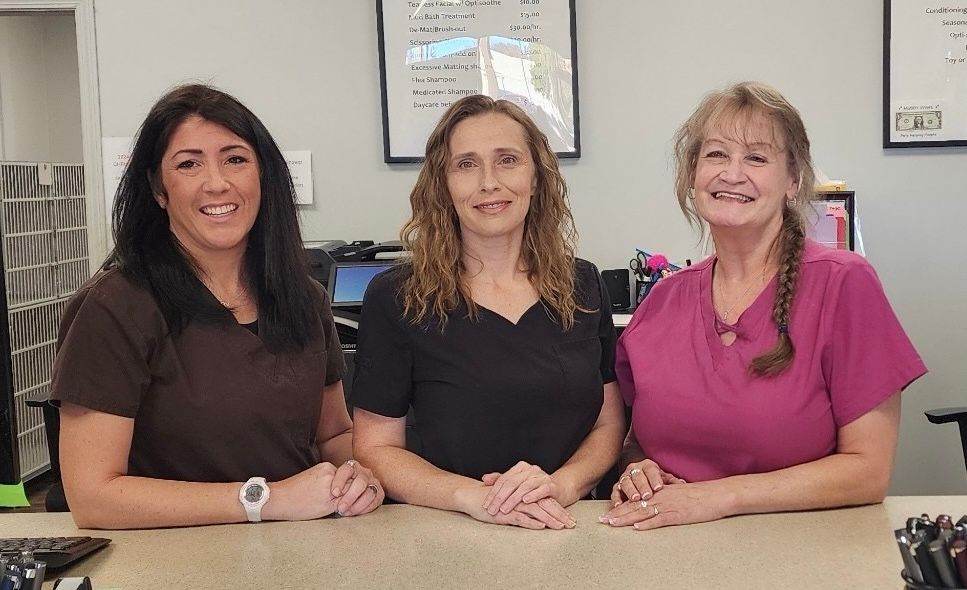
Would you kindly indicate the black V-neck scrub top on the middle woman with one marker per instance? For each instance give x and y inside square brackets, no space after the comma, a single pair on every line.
[487,393]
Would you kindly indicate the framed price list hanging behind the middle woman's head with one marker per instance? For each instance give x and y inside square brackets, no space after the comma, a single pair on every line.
[434,52]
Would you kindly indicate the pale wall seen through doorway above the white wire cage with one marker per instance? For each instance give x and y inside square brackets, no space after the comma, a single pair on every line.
[39,93]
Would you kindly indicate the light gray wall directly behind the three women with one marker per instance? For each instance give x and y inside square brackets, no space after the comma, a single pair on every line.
[309,69]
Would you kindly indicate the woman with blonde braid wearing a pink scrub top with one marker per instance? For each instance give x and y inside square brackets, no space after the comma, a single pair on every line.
[768,376]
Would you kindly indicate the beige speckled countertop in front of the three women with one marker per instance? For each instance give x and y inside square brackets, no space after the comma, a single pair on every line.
[413,547]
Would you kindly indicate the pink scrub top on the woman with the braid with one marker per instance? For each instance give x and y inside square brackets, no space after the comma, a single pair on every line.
[699,412]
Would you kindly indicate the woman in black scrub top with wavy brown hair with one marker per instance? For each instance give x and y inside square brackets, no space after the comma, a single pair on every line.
[493,332]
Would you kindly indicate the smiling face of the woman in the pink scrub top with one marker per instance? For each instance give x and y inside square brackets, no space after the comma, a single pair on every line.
[743,178]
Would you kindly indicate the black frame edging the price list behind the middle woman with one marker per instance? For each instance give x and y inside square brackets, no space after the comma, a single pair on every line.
[395,158]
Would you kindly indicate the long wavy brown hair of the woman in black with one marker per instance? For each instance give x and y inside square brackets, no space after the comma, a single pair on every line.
[435,285]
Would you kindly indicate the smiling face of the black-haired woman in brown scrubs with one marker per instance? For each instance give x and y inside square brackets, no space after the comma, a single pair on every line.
[211,180]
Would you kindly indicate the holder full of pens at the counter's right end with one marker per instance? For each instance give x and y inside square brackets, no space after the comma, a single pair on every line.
[934,552]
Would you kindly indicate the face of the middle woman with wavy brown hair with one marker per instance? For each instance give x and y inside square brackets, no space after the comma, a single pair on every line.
[490,177]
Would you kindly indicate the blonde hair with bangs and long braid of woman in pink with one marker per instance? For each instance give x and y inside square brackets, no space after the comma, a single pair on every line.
[733,111]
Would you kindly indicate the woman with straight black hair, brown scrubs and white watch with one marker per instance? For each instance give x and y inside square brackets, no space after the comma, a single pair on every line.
[199,374]
